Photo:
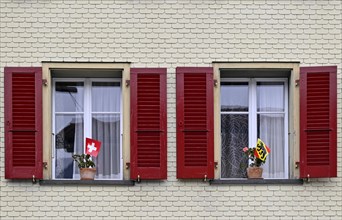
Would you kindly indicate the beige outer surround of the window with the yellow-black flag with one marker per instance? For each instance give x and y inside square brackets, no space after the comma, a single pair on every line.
[293,106]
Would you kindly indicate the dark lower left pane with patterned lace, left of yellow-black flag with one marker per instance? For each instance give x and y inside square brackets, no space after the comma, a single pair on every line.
[234,137]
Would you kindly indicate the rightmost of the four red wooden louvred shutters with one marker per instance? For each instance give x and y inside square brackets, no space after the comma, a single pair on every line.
[318,116]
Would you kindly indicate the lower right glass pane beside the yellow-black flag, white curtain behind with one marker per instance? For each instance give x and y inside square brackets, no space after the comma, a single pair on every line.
[271,131]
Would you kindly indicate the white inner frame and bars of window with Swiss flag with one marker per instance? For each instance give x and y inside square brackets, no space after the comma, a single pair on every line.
[87,113]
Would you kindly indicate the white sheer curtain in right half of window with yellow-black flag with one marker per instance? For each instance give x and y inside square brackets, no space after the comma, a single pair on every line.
[271,126]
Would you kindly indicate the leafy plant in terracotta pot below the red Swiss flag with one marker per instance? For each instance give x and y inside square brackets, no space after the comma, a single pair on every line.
[86,165]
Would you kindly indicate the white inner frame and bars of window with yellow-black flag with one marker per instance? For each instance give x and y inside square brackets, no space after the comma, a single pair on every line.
[252,115]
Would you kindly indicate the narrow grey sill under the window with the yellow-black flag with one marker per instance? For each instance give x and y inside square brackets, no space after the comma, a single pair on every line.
[257,182]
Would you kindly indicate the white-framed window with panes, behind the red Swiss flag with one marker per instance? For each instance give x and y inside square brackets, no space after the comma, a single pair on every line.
[87,108]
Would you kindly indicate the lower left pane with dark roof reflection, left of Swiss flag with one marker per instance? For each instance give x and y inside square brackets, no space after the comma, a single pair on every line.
[68,141]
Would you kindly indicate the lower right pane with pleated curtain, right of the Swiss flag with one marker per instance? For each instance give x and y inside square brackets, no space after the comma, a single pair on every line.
[106,128]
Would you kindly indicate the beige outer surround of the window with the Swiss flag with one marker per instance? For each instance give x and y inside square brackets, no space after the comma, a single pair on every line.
[117,67]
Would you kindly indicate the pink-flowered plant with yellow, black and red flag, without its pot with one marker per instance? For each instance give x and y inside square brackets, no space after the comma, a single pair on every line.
[257,154]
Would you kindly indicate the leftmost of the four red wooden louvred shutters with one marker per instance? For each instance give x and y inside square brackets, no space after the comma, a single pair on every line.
[23,123]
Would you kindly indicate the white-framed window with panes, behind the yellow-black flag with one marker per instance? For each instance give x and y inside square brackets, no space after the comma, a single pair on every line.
[254,108]
